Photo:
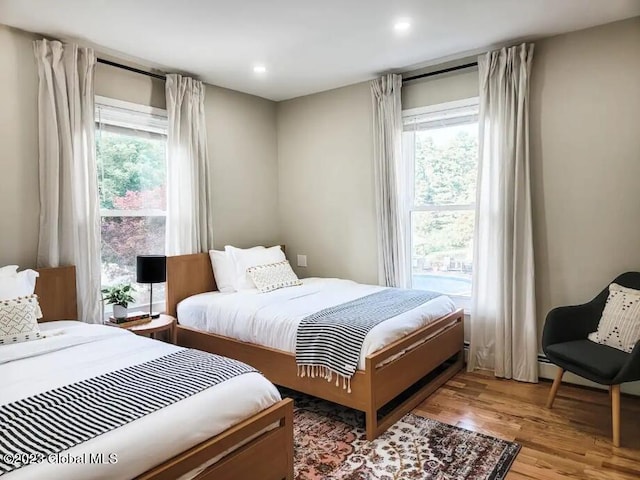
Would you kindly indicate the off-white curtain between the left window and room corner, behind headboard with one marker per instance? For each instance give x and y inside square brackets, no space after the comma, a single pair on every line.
[189,222]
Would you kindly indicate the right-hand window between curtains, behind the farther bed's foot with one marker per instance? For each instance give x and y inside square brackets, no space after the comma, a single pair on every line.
[440,145]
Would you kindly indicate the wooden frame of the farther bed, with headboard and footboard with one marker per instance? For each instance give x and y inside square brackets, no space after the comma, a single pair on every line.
[407,379]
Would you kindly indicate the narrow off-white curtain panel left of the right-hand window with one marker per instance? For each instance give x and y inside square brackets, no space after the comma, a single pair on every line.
[387,158]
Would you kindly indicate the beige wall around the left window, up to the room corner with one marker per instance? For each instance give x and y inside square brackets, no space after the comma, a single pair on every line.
[241,141]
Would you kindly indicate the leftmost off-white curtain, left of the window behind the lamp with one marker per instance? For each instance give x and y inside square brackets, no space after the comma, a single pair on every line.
[69,211]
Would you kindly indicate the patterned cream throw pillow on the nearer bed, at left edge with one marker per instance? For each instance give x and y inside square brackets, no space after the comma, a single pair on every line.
[19,319]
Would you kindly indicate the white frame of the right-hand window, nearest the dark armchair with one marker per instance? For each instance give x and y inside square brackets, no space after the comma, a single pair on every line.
[442,112]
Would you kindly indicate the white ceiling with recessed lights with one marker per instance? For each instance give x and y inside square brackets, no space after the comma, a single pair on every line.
[306,45]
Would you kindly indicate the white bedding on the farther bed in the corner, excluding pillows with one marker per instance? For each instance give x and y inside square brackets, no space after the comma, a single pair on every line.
[271,319]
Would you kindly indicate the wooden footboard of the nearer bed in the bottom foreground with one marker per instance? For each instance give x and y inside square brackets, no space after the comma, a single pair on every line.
[268,456]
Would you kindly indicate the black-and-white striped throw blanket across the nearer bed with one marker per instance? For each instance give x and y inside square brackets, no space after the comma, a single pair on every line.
[53,421]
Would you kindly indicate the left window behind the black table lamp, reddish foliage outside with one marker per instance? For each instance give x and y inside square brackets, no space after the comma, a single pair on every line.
[131,143]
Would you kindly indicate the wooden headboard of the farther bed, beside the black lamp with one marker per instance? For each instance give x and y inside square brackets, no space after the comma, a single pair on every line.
[189,275]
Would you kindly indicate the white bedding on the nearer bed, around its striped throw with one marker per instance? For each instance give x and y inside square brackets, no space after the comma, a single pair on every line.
[75,351]
